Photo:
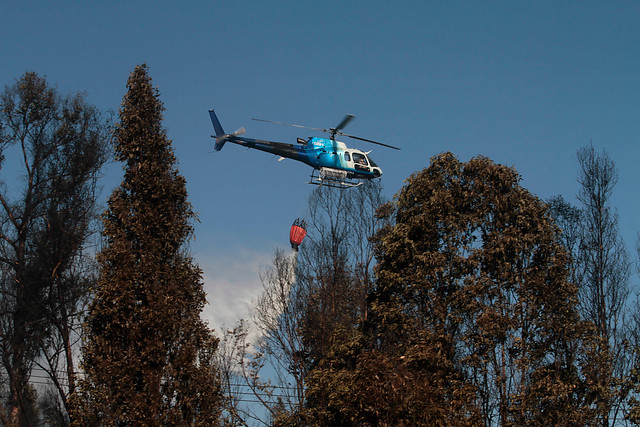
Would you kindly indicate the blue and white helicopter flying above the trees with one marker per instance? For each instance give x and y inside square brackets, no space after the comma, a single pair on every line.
[334,164]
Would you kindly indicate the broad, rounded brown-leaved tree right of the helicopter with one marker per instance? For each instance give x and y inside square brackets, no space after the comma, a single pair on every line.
[473,319]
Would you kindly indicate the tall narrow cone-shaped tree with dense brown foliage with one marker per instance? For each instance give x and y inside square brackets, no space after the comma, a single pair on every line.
[148,356]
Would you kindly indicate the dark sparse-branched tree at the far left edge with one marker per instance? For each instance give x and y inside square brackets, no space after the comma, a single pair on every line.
[60,144]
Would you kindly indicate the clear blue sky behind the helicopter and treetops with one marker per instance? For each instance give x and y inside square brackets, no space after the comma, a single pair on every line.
[523,83]
